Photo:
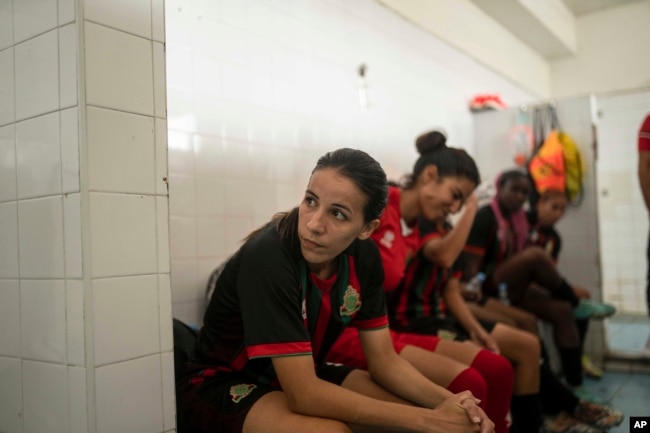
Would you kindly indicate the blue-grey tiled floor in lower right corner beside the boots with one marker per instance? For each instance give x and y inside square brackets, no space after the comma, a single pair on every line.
[626,383]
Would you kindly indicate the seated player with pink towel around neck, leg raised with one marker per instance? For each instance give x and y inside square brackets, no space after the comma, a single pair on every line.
[496,246]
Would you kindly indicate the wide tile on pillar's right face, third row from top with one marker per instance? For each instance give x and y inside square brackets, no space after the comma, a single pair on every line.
[121,153]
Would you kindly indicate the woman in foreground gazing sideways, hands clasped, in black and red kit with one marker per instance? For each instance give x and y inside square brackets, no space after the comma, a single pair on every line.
[280,303]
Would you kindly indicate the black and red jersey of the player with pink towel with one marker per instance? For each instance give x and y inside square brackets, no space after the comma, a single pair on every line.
[485,240]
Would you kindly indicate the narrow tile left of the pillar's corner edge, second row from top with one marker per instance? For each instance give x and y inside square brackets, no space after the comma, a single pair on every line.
[68,65]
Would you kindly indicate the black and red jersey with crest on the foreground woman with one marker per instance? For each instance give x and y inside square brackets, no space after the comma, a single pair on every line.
[266,304]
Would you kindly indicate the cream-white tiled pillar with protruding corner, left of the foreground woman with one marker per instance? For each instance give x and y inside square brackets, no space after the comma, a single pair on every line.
[85,298]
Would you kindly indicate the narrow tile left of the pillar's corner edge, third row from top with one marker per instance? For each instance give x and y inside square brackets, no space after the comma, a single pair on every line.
[70,150]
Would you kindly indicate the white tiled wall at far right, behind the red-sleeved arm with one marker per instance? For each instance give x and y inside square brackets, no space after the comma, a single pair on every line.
[622,212]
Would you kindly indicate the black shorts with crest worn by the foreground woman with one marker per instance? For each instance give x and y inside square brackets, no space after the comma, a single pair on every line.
[222,402]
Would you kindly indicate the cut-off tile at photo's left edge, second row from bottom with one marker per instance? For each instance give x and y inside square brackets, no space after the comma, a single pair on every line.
[9,319]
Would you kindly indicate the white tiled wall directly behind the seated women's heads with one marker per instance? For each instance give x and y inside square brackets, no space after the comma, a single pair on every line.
[259,89]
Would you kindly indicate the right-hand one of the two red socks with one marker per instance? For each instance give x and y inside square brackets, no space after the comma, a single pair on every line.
[500,378]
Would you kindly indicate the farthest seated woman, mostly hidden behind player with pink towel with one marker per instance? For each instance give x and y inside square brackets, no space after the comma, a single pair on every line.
[542,217]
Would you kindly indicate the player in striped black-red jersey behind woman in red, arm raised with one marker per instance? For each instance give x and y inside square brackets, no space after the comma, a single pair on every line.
[432,303]
